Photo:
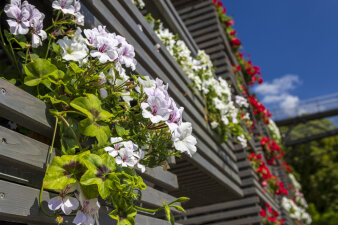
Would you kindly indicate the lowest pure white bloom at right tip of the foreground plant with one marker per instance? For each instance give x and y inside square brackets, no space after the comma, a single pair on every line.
[183,139]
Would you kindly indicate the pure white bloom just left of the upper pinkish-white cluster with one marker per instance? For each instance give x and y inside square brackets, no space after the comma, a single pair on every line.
[72,50]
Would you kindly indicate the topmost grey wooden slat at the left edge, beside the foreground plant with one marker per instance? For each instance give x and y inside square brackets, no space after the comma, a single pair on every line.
[23,108]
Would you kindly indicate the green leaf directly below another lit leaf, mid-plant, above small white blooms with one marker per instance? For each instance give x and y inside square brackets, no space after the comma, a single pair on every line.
[99,130]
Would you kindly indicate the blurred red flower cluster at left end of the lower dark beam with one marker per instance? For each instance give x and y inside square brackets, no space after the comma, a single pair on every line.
[272,150]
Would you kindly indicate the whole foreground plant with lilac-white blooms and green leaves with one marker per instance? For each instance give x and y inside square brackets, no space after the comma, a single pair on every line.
[110,123]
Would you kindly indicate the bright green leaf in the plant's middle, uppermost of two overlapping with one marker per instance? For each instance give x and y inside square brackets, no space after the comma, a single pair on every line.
[91,107]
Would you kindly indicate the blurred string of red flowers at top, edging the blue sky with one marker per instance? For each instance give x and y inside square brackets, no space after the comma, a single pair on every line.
[251,72]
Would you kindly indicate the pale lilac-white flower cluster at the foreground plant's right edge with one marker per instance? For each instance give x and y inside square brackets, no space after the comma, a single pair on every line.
[160,107]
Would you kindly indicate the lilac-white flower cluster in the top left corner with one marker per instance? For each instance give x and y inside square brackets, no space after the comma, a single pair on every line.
[24,17]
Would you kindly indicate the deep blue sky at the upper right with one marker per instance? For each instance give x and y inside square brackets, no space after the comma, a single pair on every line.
[296,39]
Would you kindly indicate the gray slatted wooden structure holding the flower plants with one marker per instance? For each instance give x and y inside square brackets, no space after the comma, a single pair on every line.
[219,179]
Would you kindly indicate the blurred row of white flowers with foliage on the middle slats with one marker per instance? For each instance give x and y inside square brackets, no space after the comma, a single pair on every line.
[223,113]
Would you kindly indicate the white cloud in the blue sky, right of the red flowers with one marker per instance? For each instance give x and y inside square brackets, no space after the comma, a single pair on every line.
[278,92]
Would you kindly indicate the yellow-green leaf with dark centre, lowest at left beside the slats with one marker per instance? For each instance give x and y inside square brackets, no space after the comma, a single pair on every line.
[64,170]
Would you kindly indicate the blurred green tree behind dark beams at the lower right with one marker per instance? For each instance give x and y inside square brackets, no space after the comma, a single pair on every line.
[316,163]
